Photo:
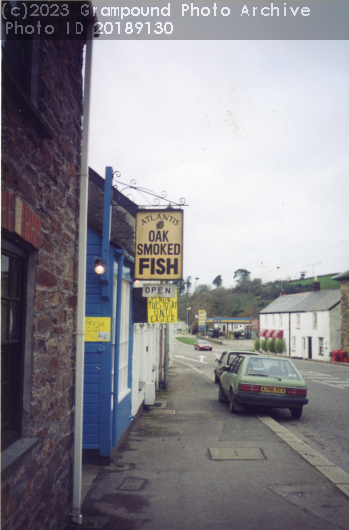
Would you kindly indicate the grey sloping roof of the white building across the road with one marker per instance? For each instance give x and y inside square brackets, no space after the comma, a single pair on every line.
[311,301]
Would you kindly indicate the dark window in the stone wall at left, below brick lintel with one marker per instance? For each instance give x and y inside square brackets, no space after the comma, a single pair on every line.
[13,270]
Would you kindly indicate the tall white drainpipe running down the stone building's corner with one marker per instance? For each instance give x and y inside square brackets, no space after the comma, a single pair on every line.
[80,336]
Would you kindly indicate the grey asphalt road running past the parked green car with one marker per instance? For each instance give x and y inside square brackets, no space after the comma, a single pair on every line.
[325,420]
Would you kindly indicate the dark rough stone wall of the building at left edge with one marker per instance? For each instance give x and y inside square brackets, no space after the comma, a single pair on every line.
[40,170]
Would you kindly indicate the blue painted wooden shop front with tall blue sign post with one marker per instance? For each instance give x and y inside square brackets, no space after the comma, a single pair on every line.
[108,364]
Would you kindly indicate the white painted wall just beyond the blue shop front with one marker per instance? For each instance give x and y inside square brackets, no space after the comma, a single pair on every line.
[146,340]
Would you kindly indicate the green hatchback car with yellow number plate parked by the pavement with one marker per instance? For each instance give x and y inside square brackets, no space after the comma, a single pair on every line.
[263,381]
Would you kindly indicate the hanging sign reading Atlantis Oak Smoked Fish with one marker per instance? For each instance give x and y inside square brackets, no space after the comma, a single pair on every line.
[159,245]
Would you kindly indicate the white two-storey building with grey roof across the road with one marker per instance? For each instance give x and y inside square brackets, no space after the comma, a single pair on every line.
[310,323]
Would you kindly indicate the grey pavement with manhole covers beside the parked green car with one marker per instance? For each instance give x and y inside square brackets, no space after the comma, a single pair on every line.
[188,464]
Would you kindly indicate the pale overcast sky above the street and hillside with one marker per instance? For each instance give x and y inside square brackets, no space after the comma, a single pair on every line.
[253,134]
